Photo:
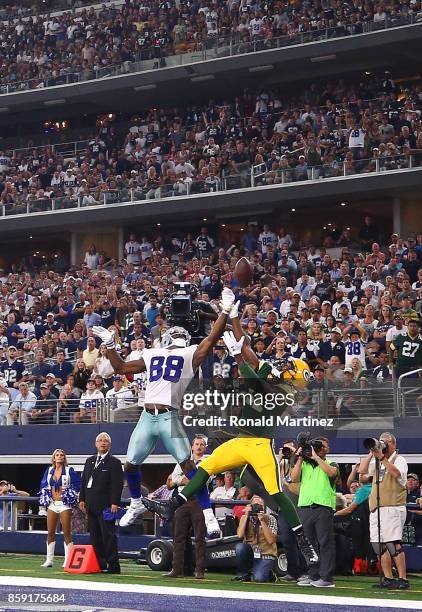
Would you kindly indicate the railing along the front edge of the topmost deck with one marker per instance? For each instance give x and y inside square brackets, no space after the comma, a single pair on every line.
[212,48]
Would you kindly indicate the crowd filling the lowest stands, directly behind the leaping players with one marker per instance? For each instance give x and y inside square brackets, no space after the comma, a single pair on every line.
[349,309]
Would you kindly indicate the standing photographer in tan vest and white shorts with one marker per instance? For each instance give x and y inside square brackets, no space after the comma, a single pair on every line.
[388,493]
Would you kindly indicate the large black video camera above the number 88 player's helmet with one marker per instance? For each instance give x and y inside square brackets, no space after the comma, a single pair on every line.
[181,308]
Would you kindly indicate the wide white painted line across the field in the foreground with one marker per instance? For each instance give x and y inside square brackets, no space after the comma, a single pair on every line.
[210,594]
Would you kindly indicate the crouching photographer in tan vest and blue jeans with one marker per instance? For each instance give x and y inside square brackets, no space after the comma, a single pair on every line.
[258,551]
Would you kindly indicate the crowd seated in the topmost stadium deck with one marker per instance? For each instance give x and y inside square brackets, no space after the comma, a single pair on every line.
[49,50]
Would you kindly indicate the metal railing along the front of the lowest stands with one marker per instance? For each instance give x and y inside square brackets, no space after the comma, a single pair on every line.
[368,401]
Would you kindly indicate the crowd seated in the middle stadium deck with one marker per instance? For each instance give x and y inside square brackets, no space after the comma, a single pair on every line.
[266,137]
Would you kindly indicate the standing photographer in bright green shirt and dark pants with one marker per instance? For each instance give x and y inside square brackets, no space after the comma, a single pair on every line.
[317,503]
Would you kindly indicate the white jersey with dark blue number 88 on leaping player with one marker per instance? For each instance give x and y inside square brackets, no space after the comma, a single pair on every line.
[169,372]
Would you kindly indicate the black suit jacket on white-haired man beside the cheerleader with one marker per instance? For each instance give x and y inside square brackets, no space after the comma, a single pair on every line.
[107,483]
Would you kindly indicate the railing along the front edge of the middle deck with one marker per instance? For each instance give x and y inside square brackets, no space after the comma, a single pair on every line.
[249,178]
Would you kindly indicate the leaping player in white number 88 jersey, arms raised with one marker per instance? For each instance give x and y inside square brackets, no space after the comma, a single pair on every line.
[169,370]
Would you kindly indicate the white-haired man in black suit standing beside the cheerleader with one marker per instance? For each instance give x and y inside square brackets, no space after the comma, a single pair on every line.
[101,487]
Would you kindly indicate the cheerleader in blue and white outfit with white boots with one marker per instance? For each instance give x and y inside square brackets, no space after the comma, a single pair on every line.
[59,494]
